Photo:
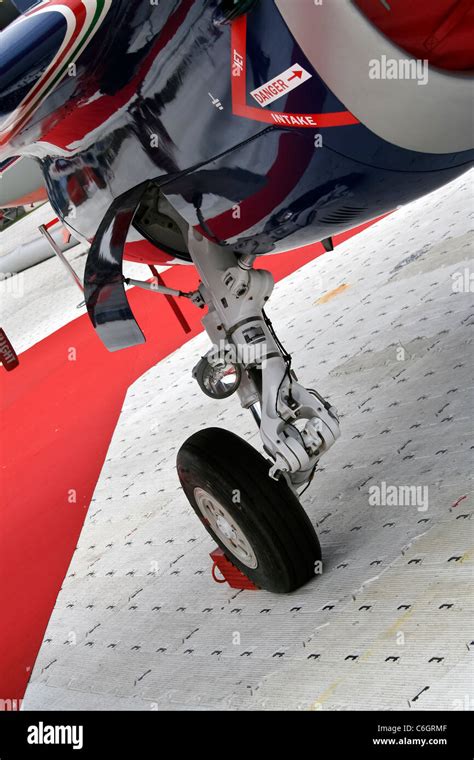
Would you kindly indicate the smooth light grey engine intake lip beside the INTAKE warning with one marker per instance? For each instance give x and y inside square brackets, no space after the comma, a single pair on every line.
[430,114]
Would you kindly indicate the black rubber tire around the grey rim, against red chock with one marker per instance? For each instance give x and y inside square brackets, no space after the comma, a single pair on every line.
[270,515]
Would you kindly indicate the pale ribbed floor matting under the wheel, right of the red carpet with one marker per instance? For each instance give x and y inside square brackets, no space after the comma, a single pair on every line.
[140,624]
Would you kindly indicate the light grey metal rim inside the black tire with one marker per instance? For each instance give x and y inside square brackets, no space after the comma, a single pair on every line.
[226,528]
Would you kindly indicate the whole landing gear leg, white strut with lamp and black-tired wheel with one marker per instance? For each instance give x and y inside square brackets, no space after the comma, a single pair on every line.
[247,503]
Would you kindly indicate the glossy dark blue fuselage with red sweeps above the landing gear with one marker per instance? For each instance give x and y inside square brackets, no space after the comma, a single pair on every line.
[152,100]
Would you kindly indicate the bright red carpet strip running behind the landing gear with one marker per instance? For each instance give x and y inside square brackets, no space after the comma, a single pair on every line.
[58,417]
